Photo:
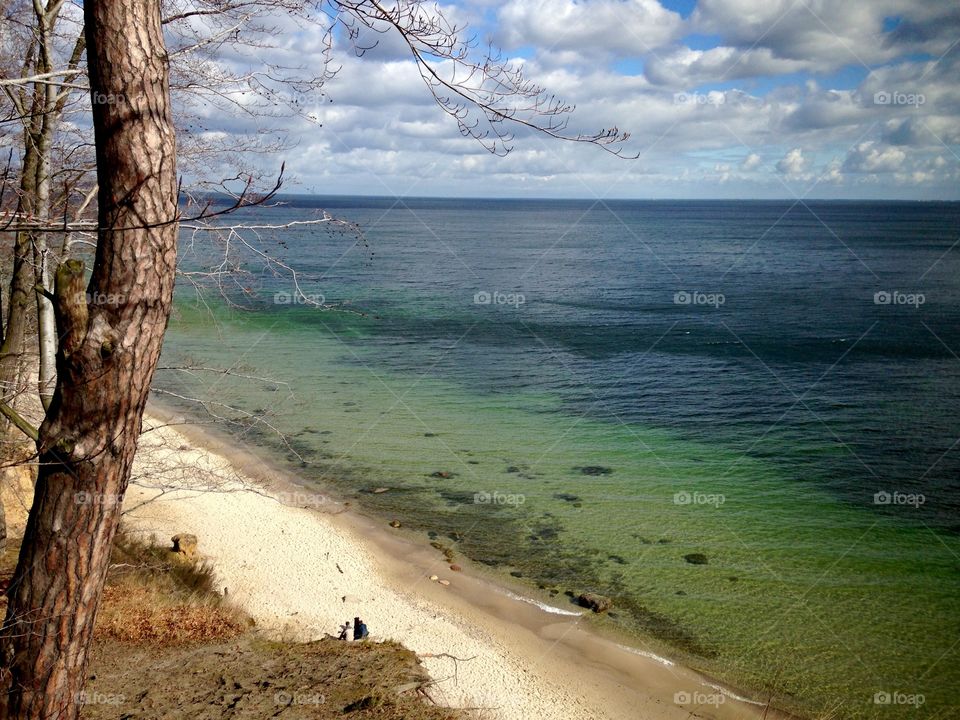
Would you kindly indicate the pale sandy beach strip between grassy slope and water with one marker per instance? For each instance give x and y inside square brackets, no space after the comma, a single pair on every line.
[489,646]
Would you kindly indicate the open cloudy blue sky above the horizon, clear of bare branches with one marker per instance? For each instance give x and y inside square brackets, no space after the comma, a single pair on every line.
[760,99]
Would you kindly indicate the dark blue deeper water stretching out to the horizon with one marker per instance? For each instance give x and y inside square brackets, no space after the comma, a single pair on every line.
[799,359]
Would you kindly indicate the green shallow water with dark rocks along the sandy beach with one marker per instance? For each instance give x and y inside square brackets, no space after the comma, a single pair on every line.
[816,601]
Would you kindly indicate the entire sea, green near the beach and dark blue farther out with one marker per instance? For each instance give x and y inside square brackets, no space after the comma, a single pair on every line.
[737,420]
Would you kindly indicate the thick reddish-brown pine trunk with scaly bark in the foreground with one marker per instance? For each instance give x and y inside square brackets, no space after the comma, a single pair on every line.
[105,364]
